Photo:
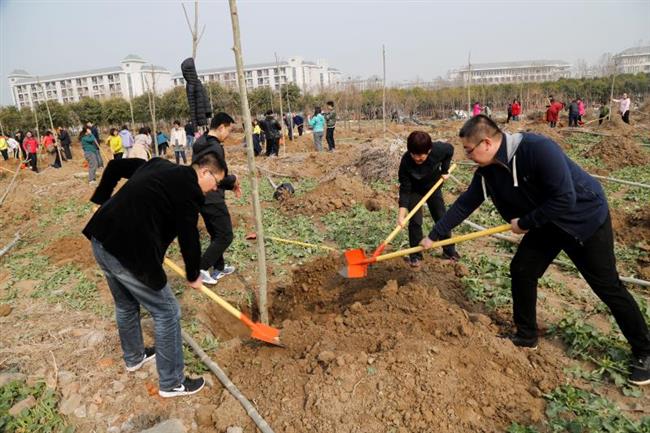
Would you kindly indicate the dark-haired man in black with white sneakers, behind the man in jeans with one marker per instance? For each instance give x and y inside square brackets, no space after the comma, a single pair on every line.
[214,211]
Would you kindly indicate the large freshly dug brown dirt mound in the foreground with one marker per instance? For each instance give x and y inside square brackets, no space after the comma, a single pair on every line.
[387,353]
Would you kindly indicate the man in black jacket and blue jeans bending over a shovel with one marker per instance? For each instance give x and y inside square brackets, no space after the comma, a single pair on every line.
[130,234]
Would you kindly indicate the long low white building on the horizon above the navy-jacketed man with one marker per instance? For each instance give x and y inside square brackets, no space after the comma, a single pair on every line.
[513,72]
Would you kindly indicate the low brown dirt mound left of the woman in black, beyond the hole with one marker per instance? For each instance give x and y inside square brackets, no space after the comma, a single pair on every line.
[339,193]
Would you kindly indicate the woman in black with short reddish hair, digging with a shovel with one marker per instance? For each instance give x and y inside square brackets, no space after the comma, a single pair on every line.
[422,165]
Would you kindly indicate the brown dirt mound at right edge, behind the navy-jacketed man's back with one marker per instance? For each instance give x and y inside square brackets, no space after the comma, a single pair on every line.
[618,152]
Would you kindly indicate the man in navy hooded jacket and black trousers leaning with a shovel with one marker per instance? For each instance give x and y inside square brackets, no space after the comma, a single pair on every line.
[559,207]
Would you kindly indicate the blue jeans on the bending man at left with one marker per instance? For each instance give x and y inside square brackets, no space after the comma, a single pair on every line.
[129,294]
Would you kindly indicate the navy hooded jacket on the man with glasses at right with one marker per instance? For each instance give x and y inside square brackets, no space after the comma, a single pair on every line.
[535,181]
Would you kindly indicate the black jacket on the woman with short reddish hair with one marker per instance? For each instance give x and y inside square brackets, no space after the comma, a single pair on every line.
[420,178]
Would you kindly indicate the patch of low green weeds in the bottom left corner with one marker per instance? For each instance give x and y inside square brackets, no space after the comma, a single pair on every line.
[44,417]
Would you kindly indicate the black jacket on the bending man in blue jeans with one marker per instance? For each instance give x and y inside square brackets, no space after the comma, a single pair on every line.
[158,203]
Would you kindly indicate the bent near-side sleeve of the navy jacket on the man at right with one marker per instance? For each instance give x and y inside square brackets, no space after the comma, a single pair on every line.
[551,169]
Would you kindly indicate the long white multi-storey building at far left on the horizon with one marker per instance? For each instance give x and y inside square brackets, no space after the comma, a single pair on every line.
[133,77]
